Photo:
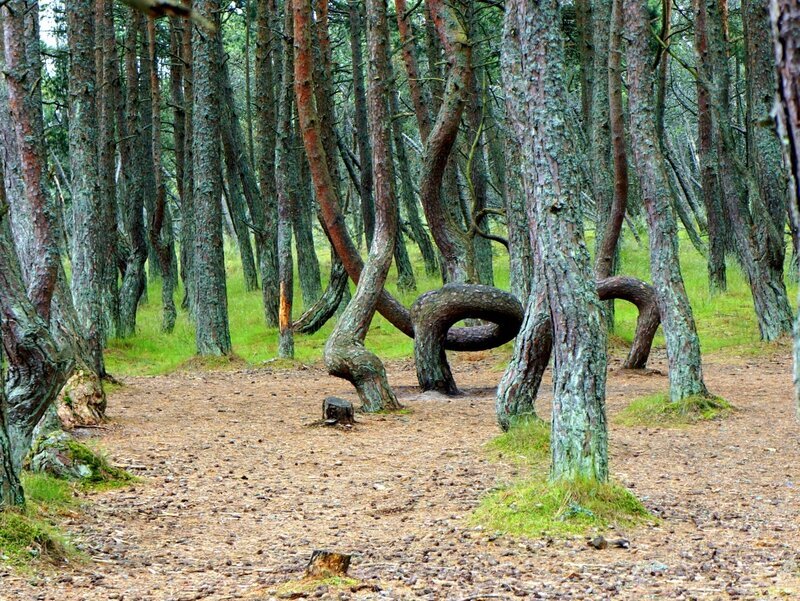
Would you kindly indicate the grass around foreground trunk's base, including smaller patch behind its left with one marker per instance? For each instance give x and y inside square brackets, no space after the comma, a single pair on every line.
[533,506]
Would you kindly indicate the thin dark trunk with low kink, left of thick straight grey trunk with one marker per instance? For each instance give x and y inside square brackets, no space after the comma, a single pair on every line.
[161,236]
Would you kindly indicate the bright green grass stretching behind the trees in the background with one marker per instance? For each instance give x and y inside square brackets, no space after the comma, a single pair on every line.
[726,323]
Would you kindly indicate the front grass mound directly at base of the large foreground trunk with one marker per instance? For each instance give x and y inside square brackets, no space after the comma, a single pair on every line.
[537,507]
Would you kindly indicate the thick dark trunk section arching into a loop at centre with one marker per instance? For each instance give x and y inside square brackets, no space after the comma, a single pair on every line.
[435,312]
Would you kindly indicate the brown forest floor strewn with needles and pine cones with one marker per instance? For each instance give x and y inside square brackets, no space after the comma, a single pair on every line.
[237,488]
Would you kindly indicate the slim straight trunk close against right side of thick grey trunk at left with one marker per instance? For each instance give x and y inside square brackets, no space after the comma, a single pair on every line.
[107,98]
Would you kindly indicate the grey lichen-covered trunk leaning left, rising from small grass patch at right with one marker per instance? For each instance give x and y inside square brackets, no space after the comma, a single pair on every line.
[683,345]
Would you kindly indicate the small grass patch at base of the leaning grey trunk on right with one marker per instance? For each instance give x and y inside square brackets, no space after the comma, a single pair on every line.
[657,411]
